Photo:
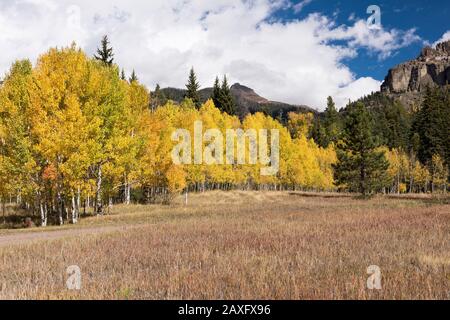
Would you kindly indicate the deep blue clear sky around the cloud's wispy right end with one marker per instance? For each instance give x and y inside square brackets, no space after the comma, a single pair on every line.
[431,19]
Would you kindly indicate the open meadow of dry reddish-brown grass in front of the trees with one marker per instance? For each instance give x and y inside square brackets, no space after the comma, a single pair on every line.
[239,245]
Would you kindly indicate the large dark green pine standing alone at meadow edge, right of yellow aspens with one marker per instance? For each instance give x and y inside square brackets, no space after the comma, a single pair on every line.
[361,168]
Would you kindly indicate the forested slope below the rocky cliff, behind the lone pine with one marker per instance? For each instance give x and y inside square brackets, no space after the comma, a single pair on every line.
[415,142]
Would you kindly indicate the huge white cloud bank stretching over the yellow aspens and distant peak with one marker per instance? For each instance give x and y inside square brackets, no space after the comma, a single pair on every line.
[295,62]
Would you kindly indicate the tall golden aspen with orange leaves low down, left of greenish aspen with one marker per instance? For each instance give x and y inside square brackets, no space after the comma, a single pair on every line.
[60,129]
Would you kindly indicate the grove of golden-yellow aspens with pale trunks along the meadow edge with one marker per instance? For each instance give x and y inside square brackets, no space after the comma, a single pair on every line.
[76,136]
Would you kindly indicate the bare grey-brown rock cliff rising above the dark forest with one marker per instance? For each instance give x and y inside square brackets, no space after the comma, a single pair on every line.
[431,68]
